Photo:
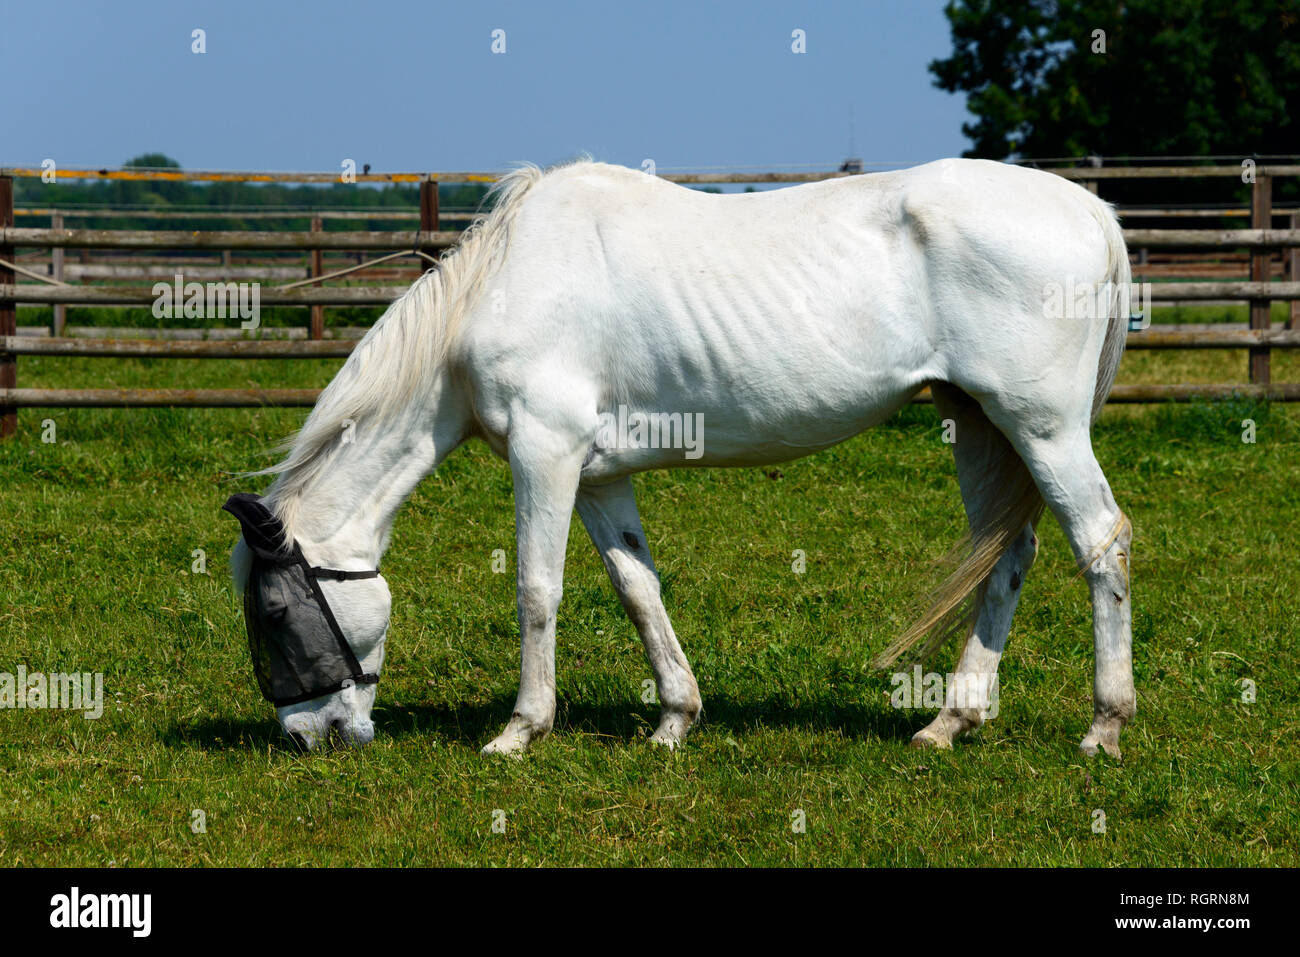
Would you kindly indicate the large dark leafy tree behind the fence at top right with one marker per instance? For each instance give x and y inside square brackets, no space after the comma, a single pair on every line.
[1164,77]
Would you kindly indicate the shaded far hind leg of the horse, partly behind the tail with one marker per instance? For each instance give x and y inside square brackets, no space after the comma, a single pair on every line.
[982,454]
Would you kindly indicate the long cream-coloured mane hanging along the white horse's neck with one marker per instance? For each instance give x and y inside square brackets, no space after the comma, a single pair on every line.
[404,350]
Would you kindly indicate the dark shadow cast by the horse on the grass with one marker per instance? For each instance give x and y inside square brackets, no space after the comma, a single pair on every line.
[619,722]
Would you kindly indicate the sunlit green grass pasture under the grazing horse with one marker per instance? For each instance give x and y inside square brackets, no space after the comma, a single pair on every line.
[97,540]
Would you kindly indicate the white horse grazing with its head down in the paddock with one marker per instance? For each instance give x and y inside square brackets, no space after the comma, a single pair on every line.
[786,322]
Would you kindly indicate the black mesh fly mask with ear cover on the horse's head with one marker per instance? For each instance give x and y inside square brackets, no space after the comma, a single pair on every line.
[298,651]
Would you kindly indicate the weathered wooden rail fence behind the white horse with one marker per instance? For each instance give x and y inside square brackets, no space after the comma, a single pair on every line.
[1259,244]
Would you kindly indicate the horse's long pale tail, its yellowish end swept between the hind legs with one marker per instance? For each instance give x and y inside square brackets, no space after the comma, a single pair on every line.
[1013,500]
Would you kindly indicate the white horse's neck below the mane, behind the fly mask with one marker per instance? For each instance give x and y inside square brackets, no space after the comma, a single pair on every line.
[343,517]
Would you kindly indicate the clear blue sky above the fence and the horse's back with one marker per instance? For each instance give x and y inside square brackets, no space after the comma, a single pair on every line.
[415,86]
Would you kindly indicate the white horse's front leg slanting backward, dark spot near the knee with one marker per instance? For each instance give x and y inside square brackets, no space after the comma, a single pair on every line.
[612,519]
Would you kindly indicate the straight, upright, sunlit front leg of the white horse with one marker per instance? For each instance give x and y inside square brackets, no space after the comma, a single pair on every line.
[545,464]
